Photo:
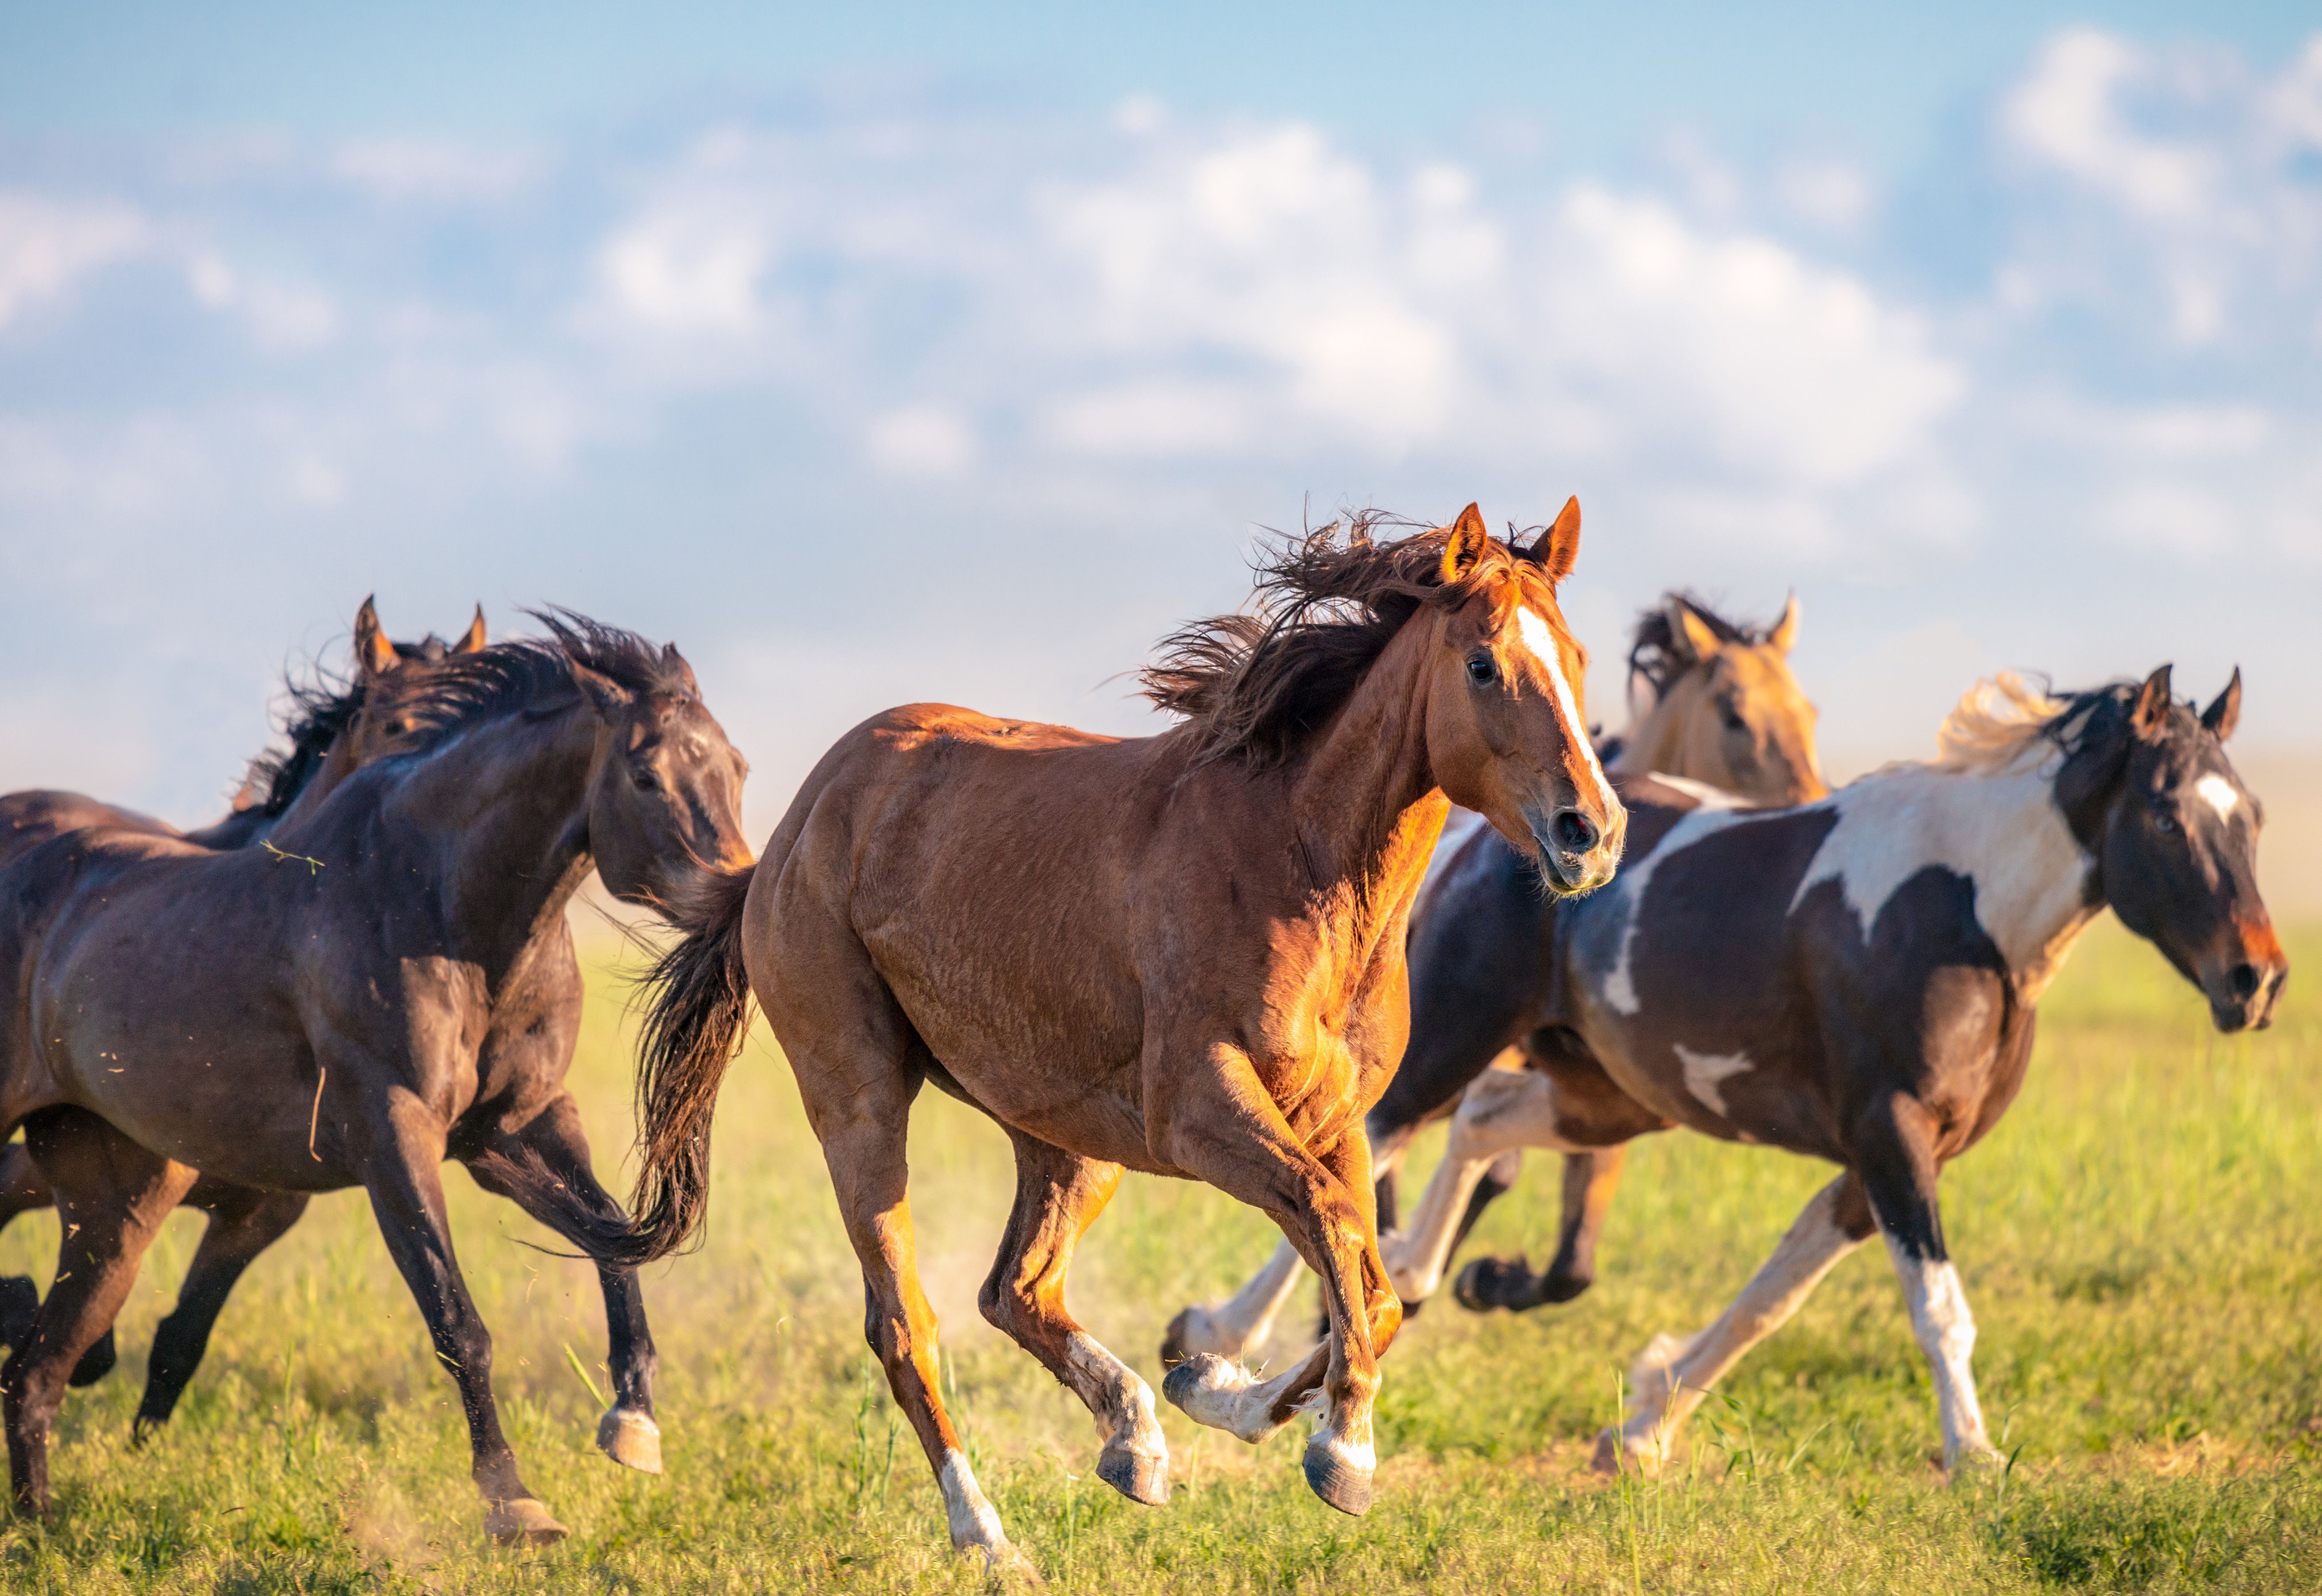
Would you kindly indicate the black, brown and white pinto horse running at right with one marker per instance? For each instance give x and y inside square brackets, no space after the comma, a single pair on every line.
[1859,982]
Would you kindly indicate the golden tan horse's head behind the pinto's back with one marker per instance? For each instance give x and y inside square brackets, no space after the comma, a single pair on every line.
[1724,705]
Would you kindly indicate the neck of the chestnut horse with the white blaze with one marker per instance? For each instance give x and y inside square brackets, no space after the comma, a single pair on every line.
[1364,798]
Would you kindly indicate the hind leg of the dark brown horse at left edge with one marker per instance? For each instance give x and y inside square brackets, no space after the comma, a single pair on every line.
[113,1198]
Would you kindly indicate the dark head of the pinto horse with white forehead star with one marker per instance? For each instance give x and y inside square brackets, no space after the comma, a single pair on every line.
[2179,856]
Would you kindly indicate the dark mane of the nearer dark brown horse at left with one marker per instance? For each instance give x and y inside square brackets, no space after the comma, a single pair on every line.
[528,673]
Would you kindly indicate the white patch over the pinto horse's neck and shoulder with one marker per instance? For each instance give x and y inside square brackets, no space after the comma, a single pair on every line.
[2000,831]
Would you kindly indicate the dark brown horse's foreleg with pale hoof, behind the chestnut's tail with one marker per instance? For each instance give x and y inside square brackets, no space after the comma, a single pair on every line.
[628,1432]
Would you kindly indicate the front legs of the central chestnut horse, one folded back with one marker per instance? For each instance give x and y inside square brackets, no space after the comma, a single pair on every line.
[1223,1128]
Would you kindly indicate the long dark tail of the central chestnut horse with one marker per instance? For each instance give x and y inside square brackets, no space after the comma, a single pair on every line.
[698,1012]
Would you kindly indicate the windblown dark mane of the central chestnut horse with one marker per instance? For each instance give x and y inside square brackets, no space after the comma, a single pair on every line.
[1255,686]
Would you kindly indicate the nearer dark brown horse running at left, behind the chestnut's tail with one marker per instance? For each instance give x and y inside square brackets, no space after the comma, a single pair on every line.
[356,1021]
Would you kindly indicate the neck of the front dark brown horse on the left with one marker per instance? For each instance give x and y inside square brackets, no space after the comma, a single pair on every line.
[514,800]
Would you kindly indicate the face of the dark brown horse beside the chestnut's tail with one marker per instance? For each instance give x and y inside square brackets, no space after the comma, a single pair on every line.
[665,793]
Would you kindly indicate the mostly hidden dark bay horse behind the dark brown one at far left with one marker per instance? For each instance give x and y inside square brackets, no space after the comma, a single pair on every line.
[329,740]
